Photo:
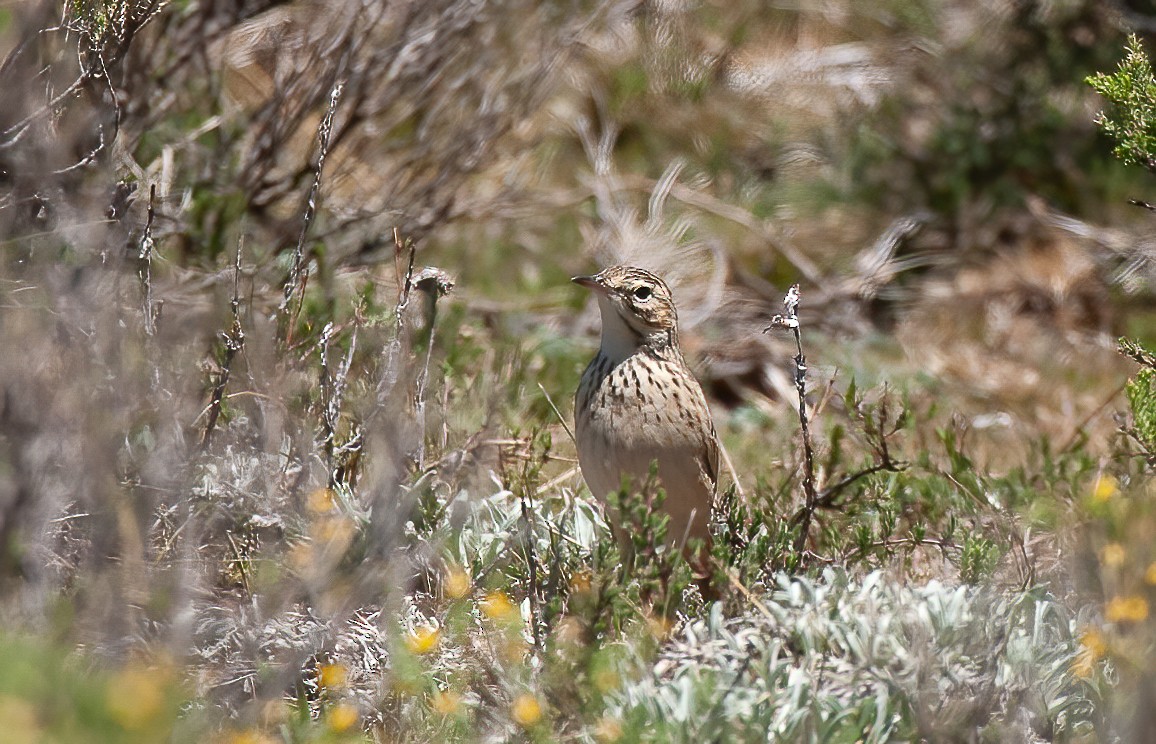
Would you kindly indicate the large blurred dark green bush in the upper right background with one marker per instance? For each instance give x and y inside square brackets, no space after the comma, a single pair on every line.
[981,125]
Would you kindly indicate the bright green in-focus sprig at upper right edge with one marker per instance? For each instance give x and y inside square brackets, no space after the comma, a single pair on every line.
[1131,118]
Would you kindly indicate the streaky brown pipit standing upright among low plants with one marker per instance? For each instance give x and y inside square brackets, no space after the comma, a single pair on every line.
[640,404]
